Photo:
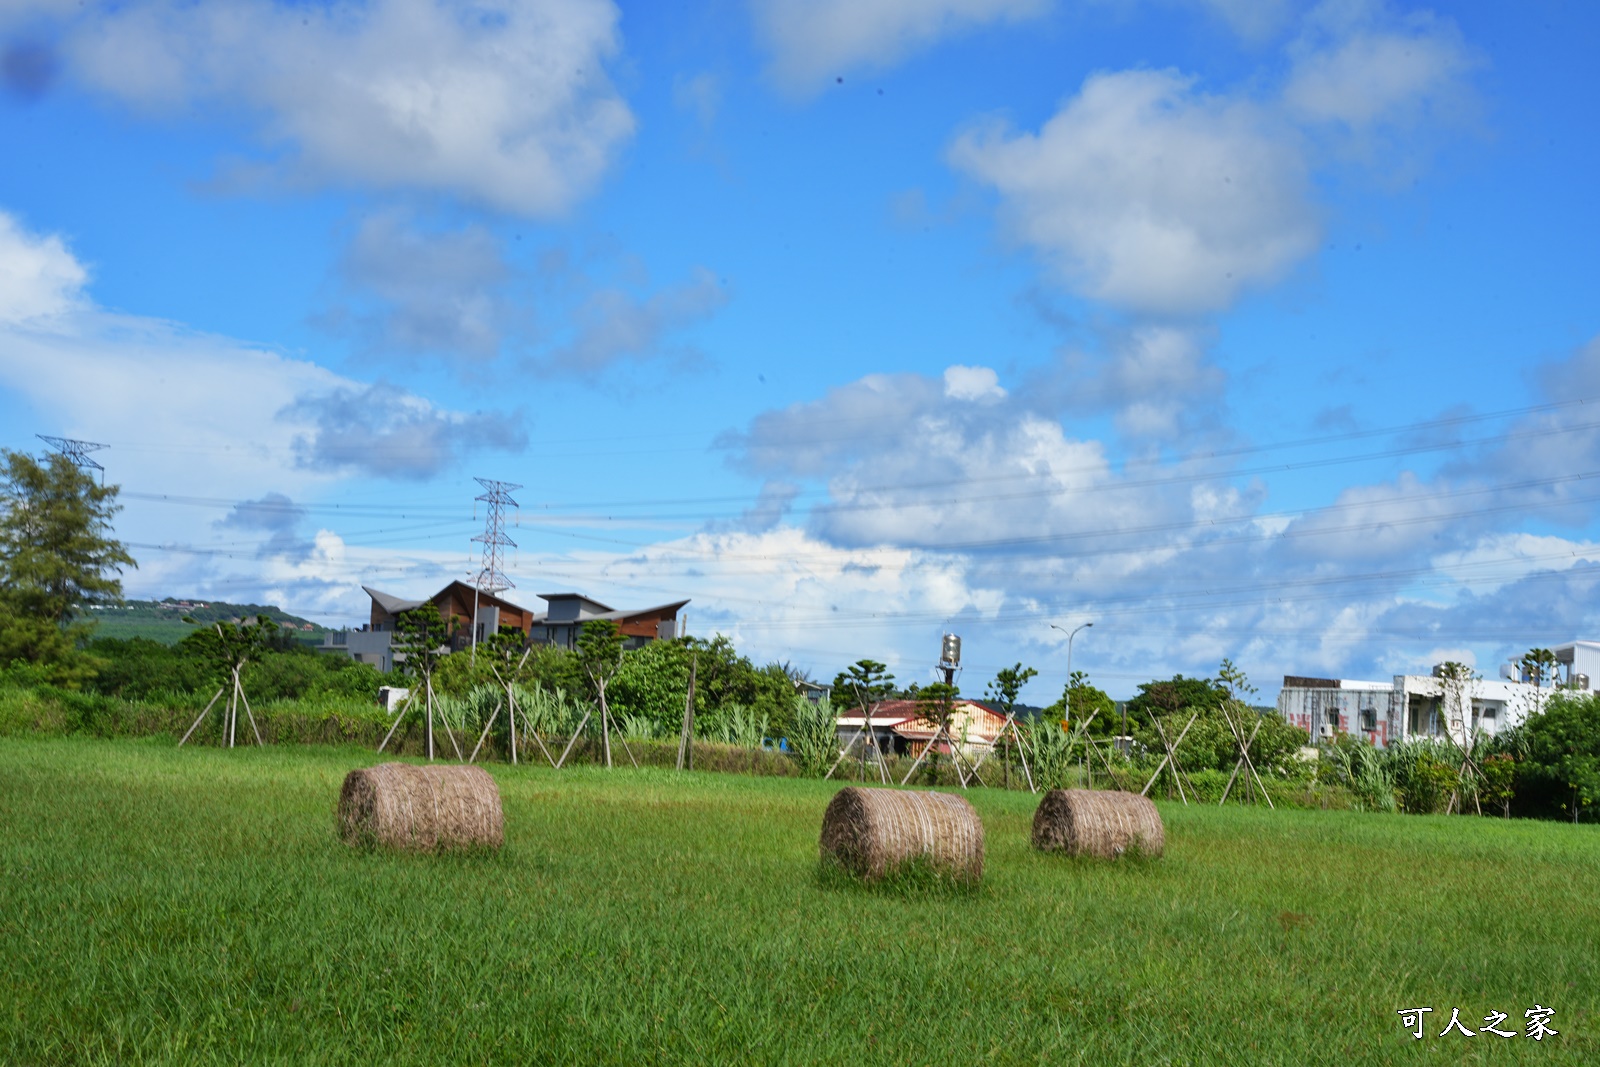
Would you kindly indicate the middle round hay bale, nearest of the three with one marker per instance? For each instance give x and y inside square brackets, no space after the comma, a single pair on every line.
[874,831]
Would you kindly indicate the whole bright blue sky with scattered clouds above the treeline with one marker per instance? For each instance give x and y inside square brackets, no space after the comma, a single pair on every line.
[1252,330]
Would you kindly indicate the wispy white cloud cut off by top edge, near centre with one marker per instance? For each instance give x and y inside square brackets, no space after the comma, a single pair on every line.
[815,41]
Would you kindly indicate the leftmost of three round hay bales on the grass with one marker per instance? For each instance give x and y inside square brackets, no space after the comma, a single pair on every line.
[422,809]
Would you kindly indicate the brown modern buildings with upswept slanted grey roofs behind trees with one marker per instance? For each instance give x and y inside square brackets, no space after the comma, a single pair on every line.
[460,604]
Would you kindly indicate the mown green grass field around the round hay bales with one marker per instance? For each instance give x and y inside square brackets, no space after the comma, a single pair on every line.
[194,906]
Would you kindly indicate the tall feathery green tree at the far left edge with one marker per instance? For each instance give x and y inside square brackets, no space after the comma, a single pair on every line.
[57,554]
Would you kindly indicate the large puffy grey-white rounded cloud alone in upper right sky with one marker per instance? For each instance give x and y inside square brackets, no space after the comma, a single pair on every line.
[1151,196]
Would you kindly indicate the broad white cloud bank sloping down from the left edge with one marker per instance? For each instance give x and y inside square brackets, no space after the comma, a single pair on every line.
[199,415]
